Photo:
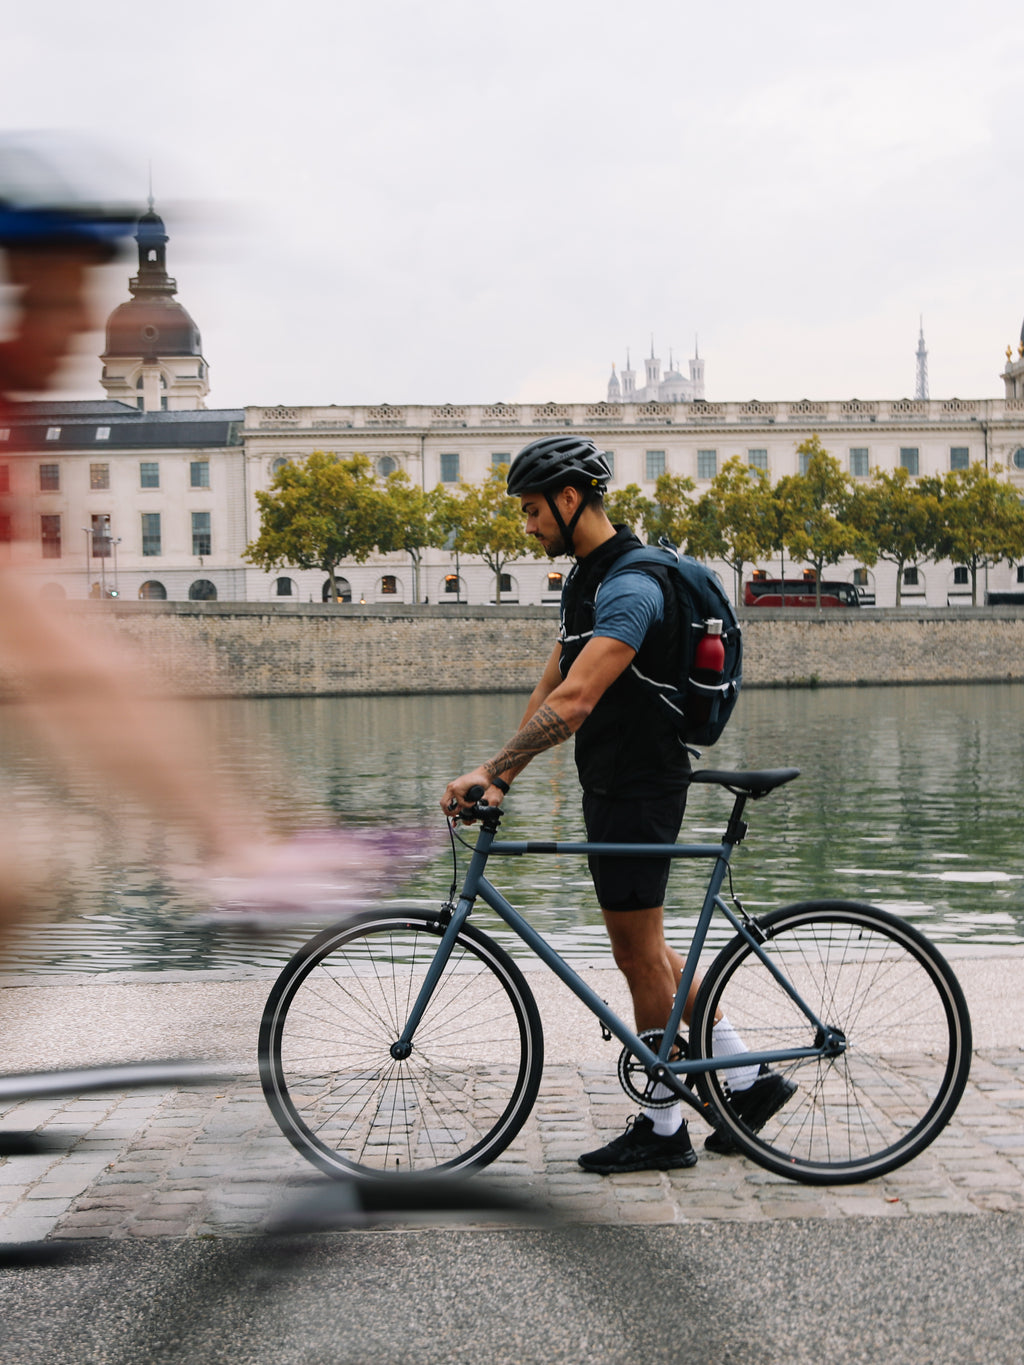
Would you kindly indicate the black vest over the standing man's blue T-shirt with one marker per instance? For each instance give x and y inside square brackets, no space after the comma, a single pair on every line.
[626,750]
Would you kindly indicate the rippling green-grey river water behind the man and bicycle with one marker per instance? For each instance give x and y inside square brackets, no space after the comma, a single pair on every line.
[909,798]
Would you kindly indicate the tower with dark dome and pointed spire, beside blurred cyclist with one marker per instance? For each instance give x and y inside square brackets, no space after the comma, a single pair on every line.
[154,356]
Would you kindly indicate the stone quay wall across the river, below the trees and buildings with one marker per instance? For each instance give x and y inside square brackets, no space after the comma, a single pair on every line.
[249,649]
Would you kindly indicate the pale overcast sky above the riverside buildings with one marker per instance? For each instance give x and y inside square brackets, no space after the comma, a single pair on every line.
[468,201]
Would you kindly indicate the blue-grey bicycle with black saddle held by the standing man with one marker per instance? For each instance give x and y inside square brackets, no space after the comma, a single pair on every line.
[409,1041]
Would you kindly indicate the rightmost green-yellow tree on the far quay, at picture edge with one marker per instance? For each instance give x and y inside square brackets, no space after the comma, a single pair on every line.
[981,521]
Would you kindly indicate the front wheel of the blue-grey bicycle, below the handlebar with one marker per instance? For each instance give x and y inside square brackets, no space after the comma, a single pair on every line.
[326,1049]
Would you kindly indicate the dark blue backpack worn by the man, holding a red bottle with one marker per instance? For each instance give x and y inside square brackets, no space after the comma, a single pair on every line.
[693,596]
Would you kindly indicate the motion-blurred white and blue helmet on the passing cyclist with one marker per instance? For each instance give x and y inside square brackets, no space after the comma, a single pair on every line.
[62,190]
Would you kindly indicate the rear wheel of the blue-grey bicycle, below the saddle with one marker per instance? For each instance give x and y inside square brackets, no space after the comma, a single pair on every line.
[896,1003]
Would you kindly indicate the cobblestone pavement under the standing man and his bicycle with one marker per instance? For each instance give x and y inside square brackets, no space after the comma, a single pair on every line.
[212,1162]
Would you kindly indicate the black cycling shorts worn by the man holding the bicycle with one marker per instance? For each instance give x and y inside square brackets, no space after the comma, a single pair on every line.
[633,884]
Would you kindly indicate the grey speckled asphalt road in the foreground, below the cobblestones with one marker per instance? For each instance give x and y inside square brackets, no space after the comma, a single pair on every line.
[903,1292]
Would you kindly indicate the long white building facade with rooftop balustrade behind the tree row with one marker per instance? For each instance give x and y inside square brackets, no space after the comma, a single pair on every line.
[447,443]
